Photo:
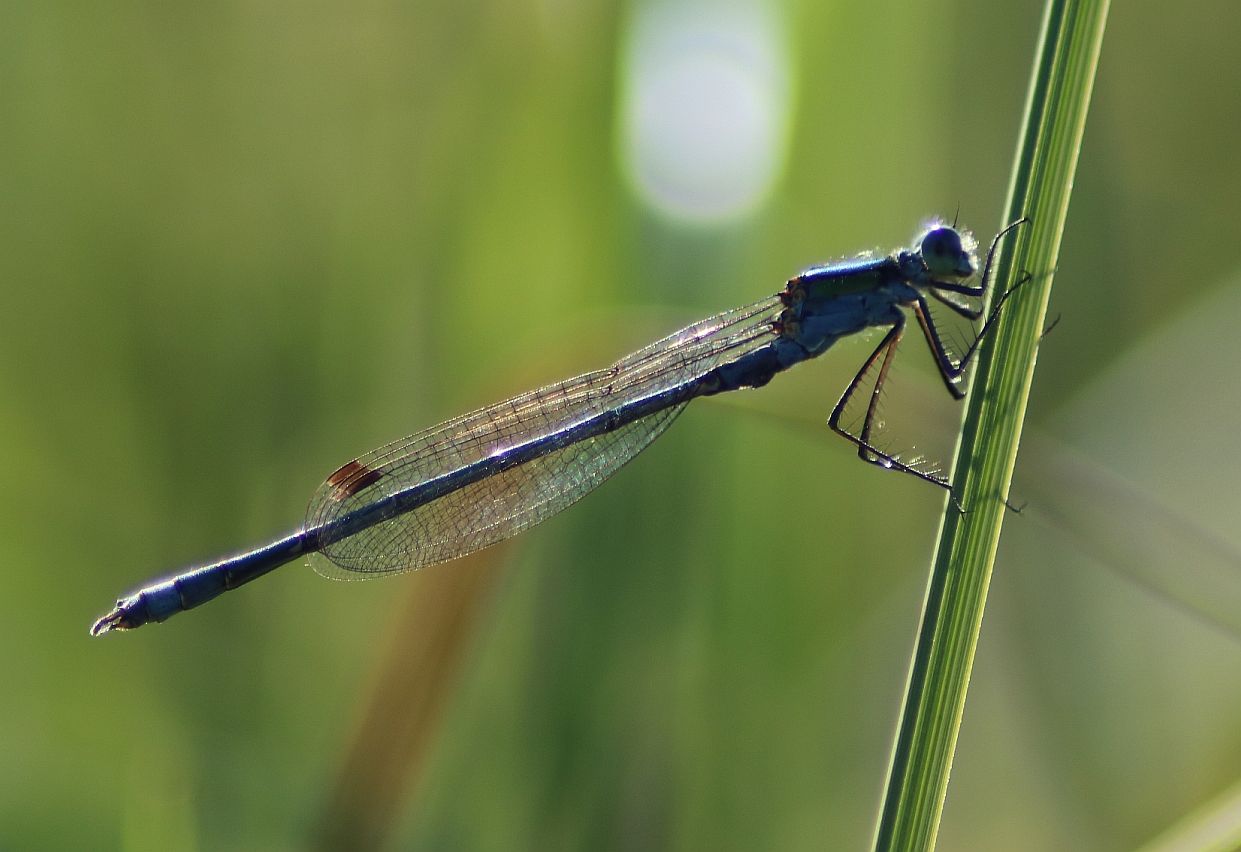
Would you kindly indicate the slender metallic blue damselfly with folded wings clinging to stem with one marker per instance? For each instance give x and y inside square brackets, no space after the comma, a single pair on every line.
[482,478]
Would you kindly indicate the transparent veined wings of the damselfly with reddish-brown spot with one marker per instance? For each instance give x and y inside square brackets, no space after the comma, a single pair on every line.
[509,502]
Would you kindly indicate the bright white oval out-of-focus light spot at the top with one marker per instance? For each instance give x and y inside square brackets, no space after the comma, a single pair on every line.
[704,109]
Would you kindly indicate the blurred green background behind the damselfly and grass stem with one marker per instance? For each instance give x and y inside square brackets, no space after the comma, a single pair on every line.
[243,244]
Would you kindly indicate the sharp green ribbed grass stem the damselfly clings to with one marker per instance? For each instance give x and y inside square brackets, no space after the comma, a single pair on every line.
[1043,179]
